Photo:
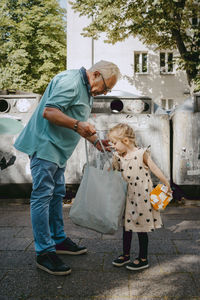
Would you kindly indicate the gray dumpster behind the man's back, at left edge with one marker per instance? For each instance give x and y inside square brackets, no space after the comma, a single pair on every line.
[15,111]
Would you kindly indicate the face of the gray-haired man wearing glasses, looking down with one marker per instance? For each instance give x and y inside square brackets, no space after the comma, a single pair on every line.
[100,85]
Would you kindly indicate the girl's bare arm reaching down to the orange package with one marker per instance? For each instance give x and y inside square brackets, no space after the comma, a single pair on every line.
[155,170]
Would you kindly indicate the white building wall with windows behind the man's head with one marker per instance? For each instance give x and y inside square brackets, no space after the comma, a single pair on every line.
[154,85]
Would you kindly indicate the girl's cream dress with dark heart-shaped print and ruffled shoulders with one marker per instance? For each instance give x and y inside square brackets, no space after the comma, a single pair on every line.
[139,214]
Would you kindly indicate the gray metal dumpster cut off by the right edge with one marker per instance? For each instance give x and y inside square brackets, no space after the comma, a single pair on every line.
[186,144]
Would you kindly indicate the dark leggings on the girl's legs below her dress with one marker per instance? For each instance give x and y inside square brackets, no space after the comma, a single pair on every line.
[143,243]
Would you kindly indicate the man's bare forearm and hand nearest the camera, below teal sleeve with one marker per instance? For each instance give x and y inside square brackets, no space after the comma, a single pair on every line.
[56,116]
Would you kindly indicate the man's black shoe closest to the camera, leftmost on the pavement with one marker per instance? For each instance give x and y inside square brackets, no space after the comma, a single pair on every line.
[52,264]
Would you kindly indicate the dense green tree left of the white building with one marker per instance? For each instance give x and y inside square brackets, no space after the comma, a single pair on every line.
[32,43]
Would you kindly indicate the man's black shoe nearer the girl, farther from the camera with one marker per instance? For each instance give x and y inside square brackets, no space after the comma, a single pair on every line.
[69,247]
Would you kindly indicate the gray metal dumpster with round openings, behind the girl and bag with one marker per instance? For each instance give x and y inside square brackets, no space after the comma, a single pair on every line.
[137,111]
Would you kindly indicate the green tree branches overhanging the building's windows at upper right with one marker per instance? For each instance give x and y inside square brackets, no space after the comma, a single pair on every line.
[169,24]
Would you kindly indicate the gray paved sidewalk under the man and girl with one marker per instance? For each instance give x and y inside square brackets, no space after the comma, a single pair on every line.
[174,254]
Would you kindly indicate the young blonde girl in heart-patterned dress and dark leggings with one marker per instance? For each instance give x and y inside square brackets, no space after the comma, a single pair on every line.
[140,217]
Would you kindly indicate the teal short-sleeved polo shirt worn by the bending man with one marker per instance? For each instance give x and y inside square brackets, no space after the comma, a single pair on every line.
[69,92]
